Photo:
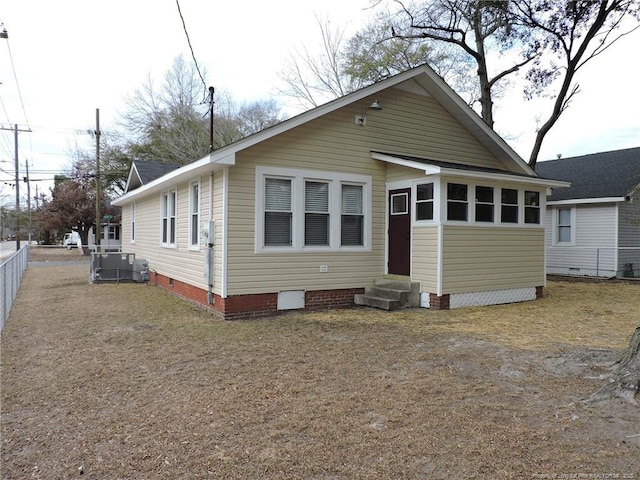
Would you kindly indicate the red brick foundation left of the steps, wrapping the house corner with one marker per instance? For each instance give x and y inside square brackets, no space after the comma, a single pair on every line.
[237,307]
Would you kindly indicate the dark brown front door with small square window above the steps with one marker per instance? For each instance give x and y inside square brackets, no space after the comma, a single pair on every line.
[400,231]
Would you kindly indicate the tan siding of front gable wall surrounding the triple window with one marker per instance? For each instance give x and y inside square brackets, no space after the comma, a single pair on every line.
[409,124]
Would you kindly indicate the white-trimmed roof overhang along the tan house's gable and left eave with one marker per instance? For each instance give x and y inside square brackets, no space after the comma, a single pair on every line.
[421,79]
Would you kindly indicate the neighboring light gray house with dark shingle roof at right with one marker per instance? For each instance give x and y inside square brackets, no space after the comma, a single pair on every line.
[593,227]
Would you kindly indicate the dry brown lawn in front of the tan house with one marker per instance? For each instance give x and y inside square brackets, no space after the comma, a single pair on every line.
[125,381]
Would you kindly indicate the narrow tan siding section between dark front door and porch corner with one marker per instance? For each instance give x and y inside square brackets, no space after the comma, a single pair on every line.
[424,266]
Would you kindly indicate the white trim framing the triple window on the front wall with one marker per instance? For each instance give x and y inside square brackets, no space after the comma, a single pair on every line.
[298,177]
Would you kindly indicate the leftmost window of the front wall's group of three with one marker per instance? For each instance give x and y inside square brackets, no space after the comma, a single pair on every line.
[277,212]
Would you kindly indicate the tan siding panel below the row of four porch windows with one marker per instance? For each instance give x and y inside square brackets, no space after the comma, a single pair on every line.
[478,259]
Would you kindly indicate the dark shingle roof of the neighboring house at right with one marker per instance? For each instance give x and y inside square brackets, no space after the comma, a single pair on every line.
[606,175]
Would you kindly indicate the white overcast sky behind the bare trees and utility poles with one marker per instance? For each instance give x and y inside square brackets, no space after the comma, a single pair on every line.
[71,57]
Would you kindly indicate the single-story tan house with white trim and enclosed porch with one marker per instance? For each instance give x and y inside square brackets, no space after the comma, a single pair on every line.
[399,179]
